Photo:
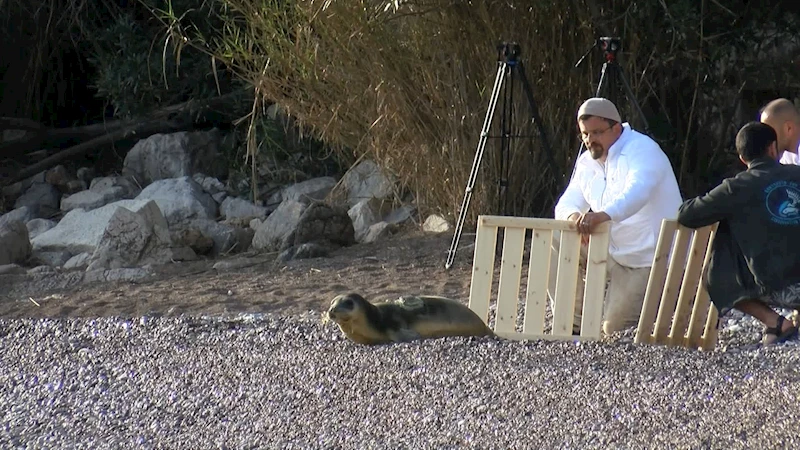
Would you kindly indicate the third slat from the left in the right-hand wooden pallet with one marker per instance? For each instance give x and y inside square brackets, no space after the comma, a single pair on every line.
[691,281]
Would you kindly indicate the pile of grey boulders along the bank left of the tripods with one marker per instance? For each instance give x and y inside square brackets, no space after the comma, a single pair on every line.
[173,201]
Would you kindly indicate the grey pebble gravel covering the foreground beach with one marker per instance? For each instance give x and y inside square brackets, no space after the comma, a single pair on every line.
[289,382]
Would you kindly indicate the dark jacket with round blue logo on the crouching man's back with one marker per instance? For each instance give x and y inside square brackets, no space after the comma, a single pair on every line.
[756,249]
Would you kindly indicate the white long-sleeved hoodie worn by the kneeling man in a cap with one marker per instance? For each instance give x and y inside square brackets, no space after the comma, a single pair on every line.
[636,187]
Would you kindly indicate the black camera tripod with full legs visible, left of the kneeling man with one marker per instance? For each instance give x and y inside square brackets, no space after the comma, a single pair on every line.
[508,65]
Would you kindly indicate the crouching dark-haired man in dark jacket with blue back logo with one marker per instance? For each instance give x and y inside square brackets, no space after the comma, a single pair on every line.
[755,264]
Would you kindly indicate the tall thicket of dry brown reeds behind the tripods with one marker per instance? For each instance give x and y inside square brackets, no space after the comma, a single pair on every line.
[407,83]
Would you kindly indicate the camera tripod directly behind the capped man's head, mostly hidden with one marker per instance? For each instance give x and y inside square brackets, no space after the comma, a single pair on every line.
[611,71]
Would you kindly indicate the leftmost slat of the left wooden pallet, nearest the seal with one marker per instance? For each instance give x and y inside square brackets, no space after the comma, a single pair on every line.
[480,288]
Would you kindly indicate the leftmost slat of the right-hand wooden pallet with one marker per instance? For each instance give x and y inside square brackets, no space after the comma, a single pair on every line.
[655,284]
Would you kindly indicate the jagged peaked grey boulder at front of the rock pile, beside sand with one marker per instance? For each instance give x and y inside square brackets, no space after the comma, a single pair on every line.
[137,238]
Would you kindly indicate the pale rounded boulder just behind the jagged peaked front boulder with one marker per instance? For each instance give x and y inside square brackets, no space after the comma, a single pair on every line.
[182,200]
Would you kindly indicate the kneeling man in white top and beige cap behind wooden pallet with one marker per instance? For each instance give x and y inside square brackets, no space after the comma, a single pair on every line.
[623,177]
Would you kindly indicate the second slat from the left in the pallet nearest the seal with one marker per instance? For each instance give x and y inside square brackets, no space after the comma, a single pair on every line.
[510,277]
